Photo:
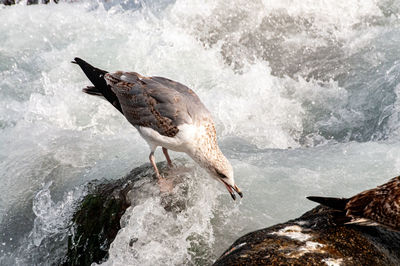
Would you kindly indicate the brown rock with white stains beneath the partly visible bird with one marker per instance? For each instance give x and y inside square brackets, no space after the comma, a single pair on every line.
[315,239]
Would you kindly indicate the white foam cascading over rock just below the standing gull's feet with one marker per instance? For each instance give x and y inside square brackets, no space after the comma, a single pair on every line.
[152,231]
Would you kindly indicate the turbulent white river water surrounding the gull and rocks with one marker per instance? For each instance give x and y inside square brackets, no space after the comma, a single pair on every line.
[305,96]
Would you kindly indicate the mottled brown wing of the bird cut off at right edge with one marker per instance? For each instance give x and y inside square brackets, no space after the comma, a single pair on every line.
[381,204]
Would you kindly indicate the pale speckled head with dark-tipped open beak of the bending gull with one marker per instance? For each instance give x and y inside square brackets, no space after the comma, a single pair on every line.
[223,172]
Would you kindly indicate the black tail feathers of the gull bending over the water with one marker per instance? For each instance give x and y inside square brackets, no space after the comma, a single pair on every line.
[100,88]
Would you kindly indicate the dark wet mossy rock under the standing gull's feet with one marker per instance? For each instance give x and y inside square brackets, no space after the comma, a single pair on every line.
[96,222]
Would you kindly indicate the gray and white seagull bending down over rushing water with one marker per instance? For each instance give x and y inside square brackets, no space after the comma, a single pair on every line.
[167,114]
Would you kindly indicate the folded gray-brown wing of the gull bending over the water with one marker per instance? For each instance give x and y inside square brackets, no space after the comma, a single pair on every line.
[156,102]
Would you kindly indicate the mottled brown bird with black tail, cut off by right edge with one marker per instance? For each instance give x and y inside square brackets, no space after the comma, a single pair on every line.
[378,206]
